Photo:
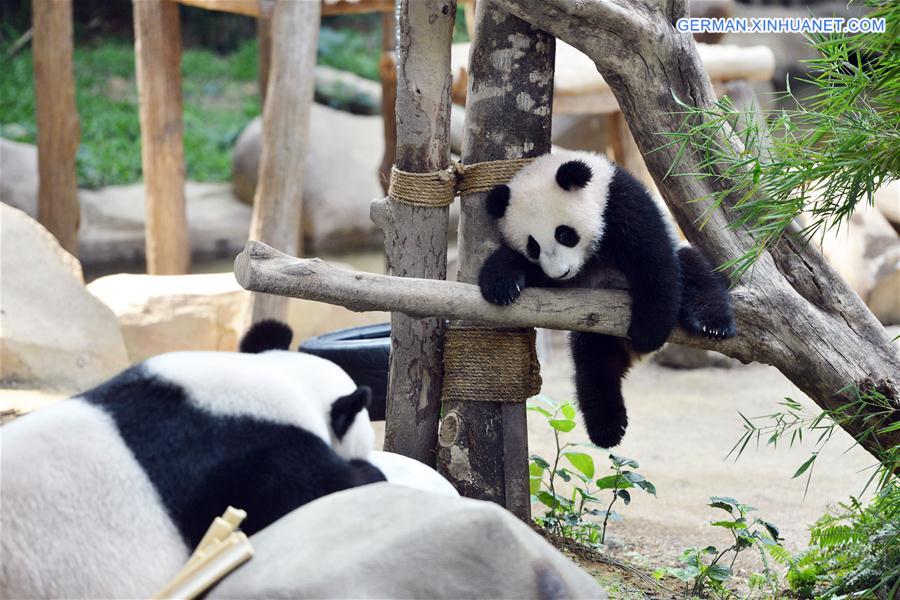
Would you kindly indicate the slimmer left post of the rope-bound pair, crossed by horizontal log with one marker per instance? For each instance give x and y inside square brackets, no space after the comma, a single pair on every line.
[415,237]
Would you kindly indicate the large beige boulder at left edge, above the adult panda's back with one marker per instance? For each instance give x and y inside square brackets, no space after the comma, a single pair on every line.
[54,333]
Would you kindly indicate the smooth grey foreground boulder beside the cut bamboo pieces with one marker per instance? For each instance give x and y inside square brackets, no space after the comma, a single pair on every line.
[387,541]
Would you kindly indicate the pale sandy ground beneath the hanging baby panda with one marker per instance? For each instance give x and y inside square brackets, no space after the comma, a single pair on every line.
[682,425]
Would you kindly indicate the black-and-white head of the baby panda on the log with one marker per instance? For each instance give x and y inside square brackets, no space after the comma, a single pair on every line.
[552,210]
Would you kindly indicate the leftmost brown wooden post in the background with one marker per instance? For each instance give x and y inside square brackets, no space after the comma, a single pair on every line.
[57,120]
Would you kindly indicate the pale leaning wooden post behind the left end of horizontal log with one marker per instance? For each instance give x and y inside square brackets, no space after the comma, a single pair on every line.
[277,205]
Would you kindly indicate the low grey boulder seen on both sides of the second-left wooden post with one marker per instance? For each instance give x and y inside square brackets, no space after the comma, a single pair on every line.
[113,222]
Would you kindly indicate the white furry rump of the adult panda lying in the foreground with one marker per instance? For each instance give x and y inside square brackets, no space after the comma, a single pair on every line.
[69,465]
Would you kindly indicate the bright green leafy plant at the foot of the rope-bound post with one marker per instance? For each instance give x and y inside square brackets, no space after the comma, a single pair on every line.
[568,515]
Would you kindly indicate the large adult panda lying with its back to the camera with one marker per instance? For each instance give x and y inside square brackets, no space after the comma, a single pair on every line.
[105,494]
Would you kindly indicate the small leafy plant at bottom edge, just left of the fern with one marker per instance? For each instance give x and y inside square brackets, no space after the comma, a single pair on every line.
[705,571]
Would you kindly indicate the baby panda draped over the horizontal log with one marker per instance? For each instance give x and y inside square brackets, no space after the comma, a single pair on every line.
[562,219]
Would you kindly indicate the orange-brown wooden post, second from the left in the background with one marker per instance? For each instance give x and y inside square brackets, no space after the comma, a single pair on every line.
[157,39]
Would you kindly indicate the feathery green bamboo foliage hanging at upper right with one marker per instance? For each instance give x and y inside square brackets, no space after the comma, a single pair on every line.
[823,158]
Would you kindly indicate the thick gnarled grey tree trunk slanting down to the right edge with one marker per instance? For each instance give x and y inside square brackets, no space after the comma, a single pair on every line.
[803,318]
